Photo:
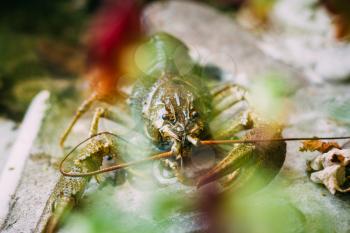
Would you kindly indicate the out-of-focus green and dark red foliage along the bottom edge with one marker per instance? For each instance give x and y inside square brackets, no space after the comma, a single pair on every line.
[168,211]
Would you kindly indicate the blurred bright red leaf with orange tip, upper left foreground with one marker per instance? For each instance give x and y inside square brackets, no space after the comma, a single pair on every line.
[115,27]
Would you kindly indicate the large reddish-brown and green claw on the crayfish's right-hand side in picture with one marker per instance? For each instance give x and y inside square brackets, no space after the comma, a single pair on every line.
[261,160]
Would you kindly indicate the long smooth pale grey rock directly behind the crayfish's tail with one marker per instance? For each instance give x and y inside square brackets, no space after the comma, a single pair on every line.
[216,39]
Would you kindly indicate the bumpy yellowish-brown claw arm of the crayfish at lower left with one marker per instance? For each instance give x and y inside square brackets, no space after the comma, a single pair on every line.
[69,190]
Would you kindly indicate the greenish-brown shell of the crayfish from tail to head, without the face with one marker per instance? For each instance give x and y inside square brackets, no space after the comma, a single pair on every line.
[166,81]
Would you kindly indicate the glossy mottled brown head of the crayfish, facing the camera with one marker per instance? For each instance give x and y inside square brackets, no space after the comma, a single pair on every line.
[174,116]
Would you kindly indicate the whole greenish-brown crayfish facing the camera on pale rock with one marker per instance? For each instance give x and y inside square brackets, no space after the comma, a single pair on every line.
[179,108]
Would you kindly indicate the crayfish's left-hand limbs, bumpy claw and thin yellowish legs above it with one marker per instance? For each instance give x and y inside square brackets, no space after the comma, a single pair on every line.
[69,190]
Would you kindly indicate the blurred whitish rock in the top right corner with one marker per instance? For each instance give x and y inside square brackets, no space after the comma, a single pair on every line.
[302,36]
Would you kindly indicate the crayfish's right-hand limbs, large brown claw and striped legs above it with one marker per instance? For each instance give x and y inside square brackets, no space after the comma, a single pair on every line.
[247,163]
